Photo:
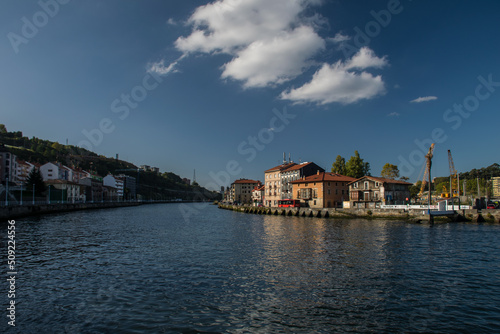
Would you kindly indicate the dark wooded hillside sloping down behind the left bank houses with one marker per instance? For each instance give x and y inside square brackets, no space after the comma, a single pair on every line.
[151,185]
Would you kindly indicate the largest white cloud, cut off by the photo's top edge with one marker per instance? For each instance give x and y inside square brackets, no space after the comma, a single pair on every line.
[271,41]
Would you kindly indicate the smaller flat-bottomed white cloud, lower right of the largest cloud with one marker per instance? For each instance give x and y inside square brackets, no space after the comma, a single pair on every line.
[338,83]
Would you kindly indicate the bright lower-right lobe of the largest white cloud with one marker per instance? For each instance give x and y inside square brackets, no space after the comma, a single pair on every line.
[275,60]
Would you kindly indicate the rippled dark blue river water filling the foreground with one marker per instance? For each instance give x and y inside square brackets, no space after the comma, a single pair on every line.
[187,268]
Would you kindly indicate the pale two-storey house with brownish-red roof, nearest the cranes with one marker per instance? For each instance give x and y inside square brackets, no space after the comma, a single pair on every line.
[371,192]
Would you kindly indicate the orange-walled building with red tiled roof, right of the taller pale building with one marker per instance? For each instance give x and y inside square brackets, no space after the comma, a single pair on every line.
[322,190]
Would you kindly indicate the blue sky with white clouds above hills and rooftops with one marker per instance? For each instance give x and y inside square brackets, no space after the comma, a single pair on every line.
[225,87]
